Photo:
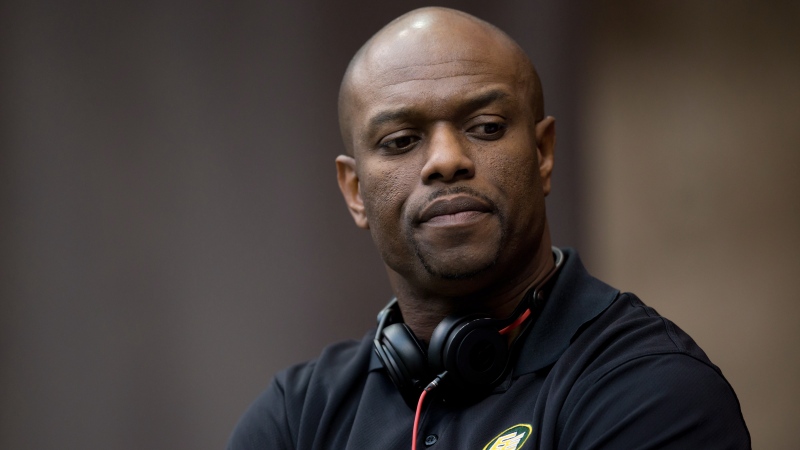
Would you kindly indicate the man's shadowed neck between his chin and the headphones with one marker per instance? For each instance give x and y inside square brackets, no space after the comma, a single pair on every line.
[423,309]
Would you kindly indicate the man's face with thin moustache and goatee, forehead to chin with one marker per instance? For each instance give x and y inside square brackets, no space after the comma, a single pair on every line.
[445,159]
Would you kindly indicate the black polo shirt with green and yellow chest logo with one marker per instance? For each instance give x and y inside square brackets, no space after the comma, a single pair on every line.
[599,369]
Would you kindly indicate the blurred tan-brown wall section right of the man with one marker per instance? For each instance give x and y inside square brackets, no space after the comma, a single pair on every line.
[692,156]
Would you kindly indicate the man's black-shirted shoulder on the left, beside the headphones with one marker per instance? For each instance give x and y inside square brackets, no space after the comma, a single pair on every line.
[299,394]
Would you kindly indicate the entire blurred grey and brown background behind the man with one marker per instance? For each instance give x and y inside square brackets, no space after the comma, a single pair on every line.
[171,233]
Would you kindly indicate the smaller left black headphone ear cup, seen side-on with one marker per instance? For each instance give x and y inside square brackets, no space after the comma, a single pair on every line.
[403,357]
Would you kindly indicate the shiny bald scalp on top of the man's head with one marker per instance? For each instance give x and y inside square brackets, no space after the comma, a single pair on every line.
[409,46]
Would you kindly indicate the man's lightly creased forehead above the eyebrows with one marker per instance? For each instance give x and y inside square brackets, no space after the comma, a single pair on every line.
[432,68]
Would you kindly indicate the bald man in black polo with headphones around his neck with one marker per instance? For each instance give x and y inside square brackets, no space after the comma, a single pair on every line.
[495,340]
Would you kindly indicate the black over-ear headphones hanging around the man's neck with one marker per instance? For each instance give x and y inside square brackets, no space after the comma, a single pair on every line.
[471,351]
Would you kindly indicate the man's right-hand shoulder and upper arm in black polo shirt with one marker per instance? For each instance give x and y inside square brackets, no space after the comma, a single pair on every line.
[644,380]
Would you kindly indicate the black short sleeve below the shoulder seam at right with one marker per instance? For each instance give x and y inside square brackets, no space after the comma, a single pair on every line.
[667,401]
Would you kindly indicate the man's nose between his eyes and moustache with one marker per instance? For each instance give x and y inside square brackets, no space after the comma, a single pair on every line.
[448,159]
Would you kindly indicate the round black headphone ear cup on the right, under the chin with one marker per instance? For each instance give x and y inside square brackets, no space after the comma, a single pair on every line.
[471,350]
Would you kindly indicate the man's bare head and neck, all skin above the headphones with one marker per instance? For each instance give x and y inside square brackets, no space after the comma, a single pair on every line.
[449,161]
